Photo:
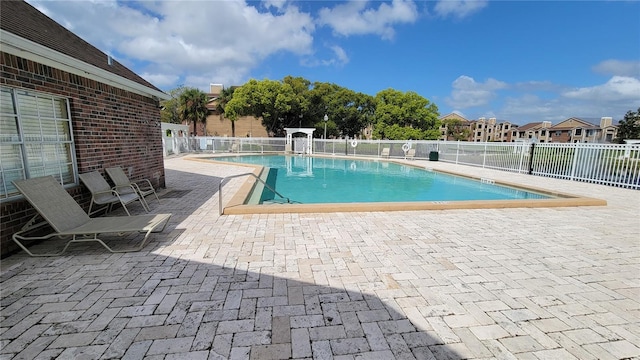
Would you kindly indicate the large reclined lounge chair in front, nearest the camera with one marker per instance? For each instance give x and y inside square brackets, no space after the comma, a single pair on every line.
[68,219]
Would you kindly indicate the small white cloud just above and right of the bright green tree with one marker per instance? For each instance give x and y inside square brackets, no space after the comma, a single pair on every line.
[469,93]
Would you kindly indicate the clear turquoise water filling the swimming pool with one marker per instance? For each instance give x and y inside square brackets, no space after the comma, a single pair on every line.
[312,180]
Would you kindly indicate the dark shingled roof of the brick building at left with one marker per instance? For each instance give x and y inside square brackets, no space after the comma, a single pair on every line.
[24,20]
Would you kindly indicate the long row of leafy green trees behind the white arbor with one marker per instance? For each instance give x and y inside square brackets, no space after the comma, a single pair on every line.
[296,102]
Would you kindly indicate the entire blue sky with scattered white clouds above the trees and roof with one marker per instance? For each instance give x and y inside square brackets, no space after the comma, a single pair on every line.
[517,61]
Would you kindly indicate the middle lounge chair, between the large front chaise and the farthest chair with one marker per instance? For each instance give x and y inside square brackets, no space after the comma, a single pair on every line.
[103,194]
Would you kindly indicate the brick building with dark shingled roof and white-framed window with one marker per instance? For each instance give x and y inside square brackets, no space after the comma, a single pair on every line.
[67,108]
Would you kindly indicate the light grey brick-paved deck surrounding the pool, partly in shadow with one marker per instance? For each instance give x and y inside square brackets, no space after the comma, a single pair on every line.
[505,283]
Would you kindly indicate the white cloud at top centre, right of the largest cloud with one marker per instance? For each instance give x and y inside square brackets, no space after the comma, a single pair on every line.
[356,18]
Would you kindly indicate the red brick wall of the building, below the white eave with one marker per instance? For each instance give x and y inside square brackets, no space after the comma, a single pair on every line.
[111,127]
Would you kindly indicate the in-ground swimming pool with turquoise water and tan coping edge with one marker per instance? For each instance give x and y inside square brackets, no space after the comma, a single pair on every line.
[301,168]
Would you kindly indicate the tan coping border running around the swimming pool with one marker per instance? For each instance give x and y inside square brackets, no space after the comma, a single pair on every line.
[237,205]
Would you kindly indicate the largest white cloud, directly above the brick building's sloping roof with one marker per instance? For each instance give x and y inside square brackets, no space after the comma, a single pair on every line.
[213,41]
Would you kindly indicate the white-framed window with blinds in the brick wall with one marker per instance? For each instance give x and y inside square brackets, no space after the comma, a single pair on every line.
[35,139]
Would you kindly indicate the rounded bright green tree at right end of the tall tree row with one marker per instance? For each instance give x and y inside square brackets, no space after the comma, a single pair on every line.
[416,114]
